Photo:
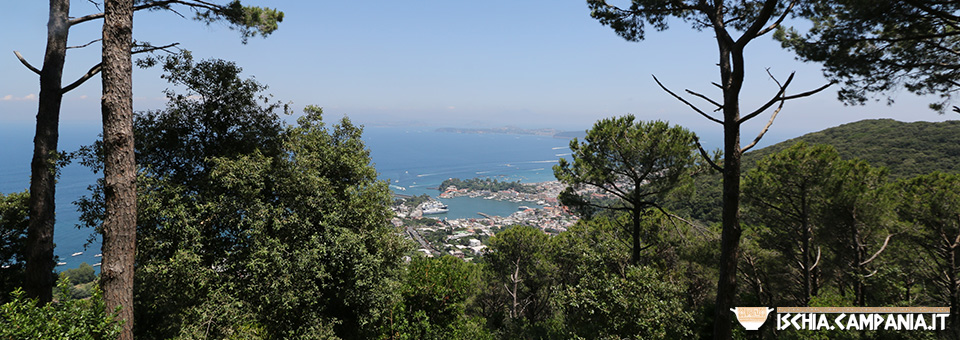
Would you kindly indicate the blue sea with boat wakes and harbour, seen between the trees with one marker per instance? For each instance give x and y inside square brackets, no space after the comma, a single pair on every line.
[414,160]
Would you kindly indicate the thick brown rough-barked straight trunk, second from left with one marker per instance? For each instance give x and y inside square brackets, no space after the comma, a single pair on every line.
[119,173]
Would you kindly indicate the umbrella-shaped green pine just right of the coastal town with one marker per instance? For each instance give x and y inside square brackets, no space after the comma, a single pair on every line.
[637,163]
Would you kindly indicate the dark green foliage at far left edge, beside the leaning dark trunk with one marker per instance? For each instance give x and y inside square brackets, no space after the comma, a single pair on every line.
[13,237]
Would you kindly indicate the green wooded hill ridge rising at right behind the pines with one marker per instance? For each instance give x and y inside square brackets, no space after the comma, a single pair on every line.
[907,149]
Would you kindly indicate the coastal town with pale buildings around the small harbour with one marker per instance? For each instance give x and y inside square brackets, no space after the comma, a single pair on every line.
[422,220]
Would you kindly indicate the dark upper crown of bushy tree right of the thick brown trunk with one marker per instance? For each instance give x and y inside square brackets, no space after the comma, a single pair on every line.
[218,114]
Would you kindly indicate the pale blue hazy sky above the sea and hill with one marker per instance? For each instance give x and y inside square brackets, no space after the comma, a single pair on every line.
[533,63]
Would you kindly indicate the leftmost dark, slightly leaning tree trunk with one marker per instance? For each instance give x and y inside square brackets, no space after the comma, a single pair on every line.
[39,270]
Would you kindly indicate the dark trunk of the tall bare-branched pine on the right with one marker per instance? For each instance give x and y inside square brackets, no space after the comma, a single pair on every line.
[732,81]
